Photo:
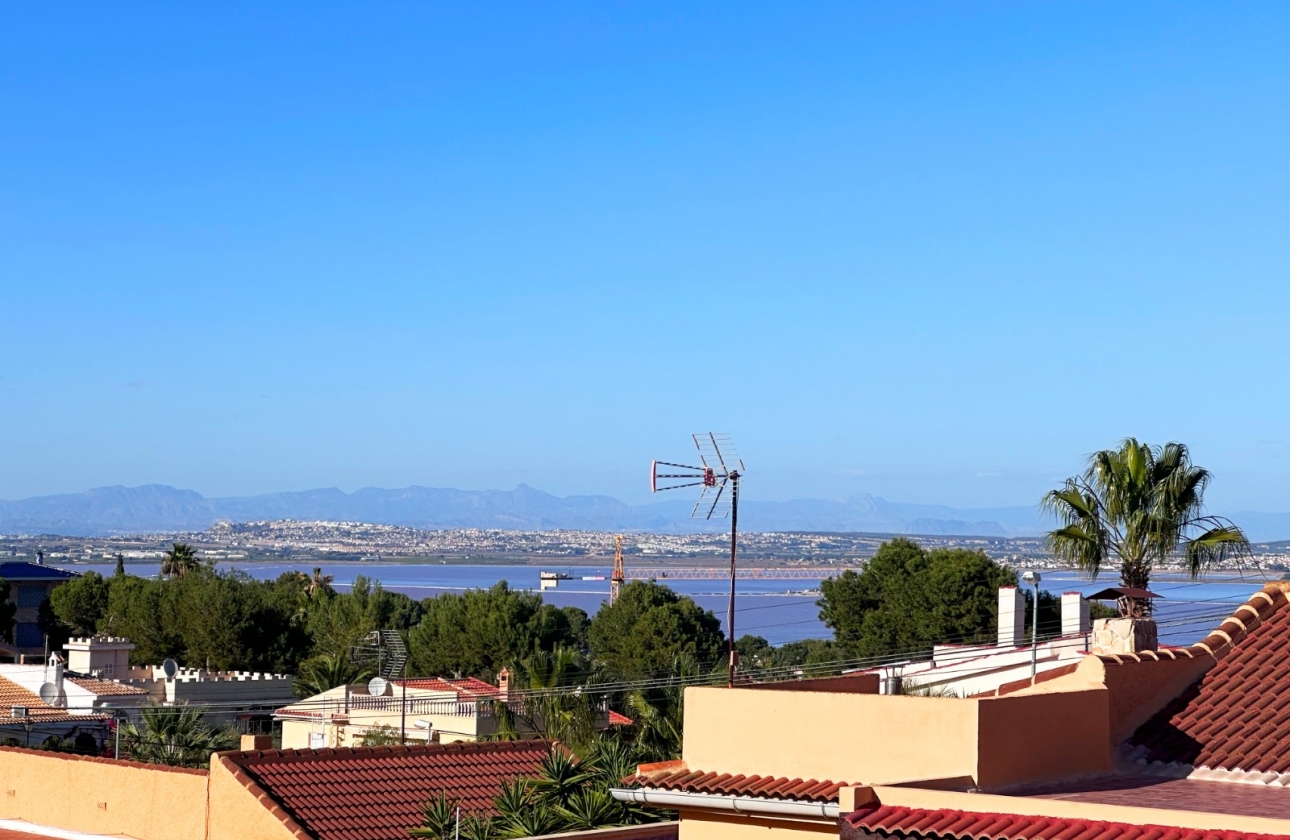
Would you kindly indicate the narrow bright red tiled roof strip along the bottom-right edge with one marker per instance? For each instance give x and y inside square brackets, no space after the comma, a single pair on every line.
[891,821]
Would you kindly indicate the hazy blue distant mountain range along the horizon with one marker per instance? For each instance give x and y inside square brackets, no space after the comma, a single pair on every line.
[155,508]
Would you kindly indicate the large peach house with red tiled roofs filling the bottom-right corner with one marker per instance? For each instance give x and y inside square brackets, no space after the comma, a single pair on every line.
[1162,744]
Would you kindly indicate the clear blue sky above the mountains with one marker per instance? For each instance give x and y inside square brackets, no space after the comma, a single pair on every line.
[937,252]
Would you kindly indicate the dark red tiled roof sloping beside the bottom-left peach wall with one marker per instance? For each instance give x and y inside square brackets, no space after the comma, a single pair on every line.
[377,793]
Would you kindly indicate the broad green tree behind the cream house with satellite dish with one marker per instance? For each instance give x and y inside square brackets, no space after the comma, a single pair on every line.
[478,632]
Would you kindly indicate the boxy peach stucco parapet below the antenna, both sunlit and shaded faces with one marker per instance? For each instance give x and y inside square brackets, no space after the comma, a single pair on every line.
[879,740]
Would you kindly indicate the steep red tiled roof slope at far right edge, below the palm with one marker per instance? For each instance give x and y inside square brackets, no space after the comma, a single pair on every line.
[1238,715]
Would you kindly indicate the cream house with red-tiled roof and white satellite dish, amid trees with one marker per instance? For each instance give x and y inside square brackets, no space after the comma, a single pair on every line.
[422,710]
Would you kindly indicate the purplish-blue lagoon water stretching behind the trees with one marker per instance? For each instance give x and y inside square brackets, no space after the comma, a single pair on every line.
[781,611]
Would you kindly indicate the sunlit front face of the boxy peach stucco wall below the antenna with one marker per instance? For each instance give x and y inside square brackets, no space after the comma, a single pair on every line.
[842,737]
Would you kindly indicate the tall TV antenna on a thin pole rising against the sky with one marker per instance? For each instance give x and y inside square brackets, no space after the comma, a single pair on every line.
[719,477]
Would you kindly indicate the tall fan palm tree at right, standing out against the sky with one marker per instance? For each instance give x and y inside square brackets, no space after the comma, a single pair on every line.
[1138,506]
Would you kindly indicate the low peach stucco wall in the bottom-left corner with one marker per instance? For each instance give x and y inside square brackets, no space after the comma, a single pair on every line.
[103,797]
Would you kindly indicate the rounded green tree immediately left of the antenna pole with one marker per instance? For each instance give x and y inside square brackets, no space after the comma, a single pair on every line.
[648,628]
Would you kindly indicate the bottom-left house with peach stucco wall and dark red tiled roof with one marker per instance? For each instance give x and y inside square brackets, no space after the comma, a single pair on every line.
[259,794]
